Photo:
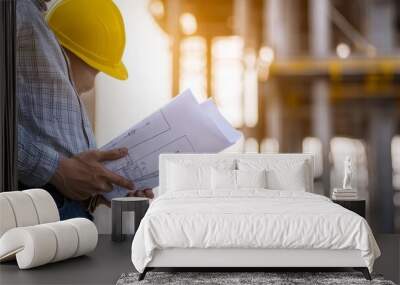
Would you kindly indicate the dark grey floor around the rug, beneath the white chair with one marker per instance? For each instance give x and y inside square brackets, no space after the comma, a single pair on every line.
[110,260]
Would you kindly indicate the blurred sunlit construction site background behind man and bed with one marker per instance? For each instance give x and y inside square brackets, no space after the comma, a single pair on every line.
[314,76]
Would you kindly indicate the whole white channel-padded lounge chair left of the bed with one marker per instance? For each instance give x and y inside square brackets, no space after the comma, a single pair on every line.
[31,231]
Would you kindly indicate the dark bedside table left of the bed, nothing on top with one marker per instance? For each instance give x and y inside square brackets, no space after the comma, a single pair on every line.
[139,205]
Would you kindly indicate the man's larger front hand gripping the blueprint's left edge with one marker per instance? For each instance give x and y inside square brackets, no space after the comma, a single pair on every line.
[84,175]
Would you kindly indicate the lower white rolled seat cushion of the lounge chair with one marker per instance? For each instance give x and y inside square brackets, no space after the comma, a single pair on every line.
[40,244]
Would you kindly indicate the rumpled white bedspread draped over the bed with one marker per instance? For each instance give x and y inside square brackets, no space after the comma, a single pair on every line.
[250,219]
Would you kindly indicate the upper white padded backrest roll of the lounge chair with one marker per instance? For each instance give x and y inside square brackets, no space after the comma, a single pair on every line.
[26,208]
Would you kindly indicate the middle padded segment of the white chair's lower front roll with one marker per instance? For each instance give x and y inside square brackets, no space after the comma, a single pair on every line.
[67,240]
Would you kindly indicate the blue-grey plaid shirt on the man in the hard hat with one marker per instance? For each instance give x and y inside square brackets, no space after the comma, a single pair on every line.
[52,120]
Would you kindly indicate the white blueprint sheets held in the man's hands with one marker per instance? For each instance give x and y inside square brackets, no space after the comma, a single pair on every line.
[182,126]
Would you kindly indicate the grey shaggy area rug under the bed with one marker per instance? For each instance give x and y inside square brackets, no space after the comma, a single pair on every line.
[233,278]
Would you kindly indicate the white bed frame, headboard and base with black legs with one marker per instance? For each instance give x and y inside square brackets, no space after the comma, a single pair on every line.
[250,259]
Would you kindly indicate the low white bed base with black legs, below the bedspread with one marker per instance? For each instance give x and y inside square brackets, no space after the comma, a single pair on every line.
[256,259]
